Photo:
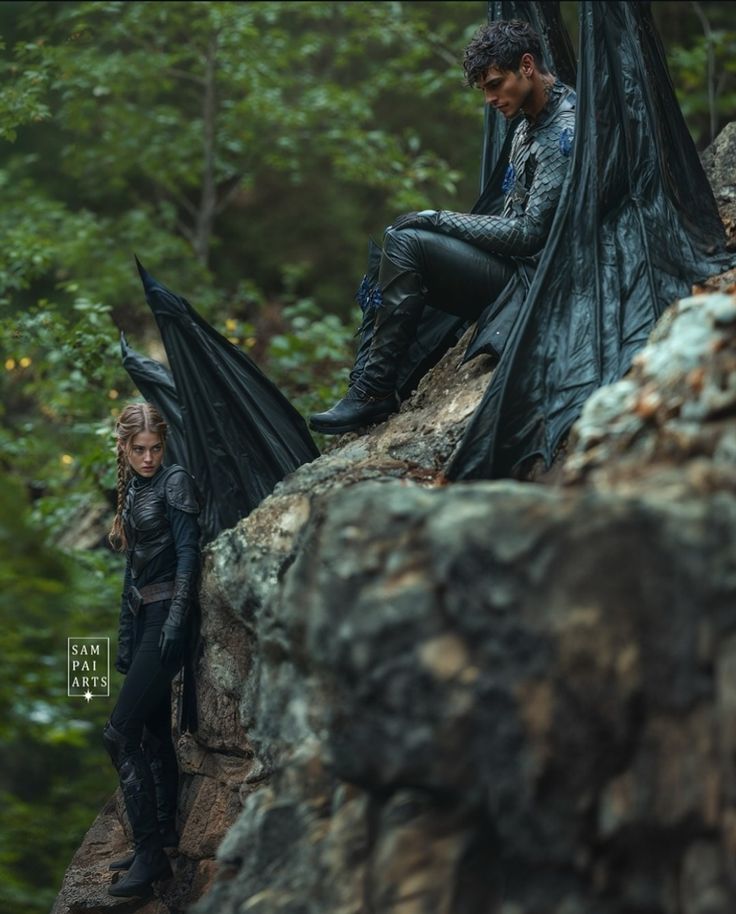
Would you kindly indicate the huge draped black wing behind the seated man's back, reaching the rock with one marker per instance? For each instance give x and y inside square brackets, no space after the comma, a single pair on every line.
[636,226]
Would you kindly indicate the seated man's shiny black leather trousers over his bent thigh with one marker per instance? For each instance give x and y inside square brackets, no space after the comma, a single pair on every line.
[460,278]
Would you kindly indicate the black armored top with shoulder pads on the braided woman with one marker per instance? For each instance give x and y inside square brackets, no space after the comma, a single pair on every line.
[159,517]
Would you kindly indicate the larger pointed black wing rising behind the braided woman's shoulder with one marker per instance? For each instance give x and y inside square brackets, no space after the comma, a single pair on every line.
[241,436]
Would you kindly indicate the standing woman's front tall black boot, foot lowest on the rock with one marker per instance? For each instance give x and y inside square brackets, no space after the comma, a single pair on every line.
[150,863]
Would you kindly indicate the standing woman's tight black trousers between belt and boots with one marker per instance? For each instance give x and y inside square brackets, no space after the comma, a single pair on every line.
[144,704]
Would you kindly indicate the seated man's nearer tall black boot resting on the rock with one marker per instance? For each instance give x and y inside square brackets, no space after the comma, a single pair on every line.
[372,397]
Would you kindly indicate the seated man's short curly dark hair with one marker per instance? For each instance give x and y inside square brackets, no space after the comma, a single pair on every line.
[501,44]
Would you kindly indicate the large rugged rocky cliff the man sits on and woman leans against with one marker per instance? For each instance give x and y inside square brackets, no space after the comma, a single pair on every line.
[478,698]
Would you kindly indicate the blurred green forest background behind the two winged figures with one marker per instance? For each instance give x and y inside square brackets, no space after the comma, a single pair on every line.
[245,152]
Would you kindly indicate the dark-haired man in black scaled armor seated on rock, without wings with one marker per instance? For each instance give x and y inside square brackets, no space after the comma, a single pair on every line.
[458,262]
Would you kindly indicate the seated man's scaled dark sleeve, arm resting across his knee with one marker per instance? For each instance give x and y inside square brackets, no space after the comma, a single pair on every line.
[525,234]
